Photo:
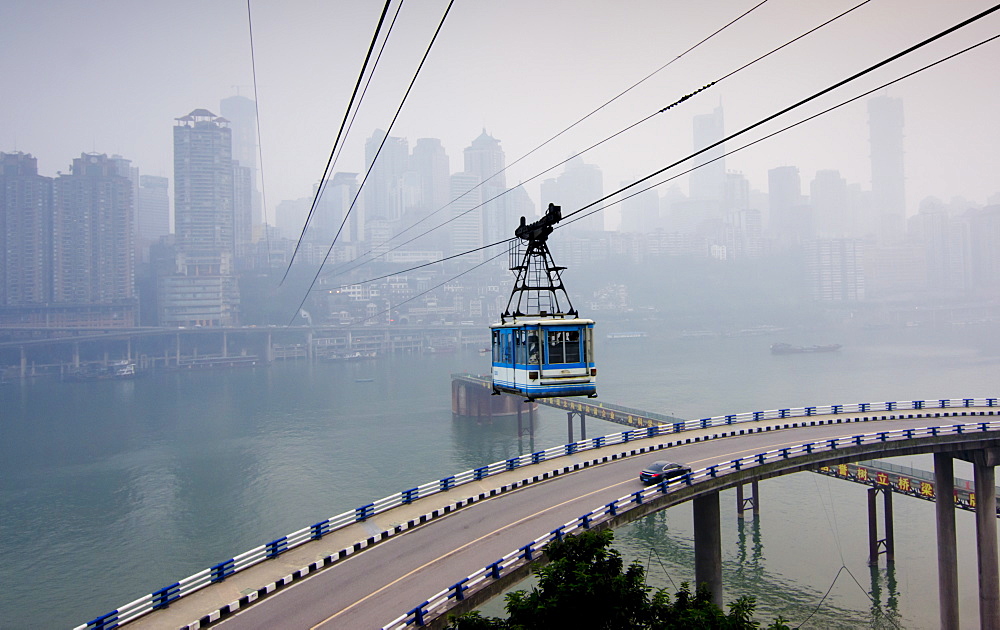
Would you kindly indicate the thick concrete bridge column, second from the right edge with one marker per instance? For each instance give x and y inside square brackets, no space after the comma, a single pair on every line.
[944,477]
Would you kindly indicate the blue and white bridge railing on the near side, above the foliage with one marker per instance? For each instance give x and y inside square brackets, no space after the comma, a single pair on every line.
[515,559]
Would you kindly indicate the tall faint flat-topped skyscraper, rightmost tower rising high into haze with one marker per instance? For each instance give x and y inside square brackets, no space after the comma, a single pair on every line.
[885,128]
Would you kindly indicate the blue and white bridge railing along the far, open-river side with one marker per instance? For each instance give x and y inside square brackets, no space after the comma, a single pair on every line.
[222,570]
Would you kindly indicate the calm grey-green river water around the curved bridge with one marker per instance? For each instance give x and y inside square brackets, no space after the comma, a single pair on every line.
[111,490]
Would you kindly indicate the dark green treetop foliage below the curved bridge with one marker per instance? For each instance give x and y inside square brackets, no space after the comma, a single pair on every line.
[587,585]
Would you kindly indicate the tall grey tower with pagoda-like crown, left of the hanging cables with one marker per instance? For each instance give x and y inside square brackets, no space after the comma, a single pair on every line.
[201,288]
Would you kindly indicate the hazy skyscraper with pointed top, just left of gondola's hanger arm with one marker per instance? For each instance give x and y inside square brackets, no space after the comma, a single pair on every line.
[485,159]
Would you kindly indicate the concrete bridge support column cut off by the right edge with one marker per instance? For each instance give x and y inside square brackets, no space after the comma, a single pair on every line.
[986,539]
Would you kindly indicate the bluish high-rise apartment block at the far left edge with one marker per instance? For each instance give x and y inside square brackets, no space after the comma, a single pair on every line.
[25,232]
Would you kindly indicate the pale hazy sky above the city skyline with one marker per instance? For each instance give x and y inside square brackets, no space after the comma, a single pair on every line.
[111,76]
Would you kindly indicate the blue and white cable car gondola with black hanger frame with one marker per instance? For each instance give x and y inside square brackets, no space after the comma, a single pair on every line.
[541,347]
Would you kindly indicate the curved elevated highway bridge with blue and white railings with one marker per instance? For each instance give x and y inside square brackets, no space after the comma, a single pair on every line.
[449,545]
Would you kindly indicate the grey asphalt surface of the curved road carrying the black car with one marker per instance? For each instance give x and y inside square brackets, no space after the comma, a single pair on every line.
[371,589]
